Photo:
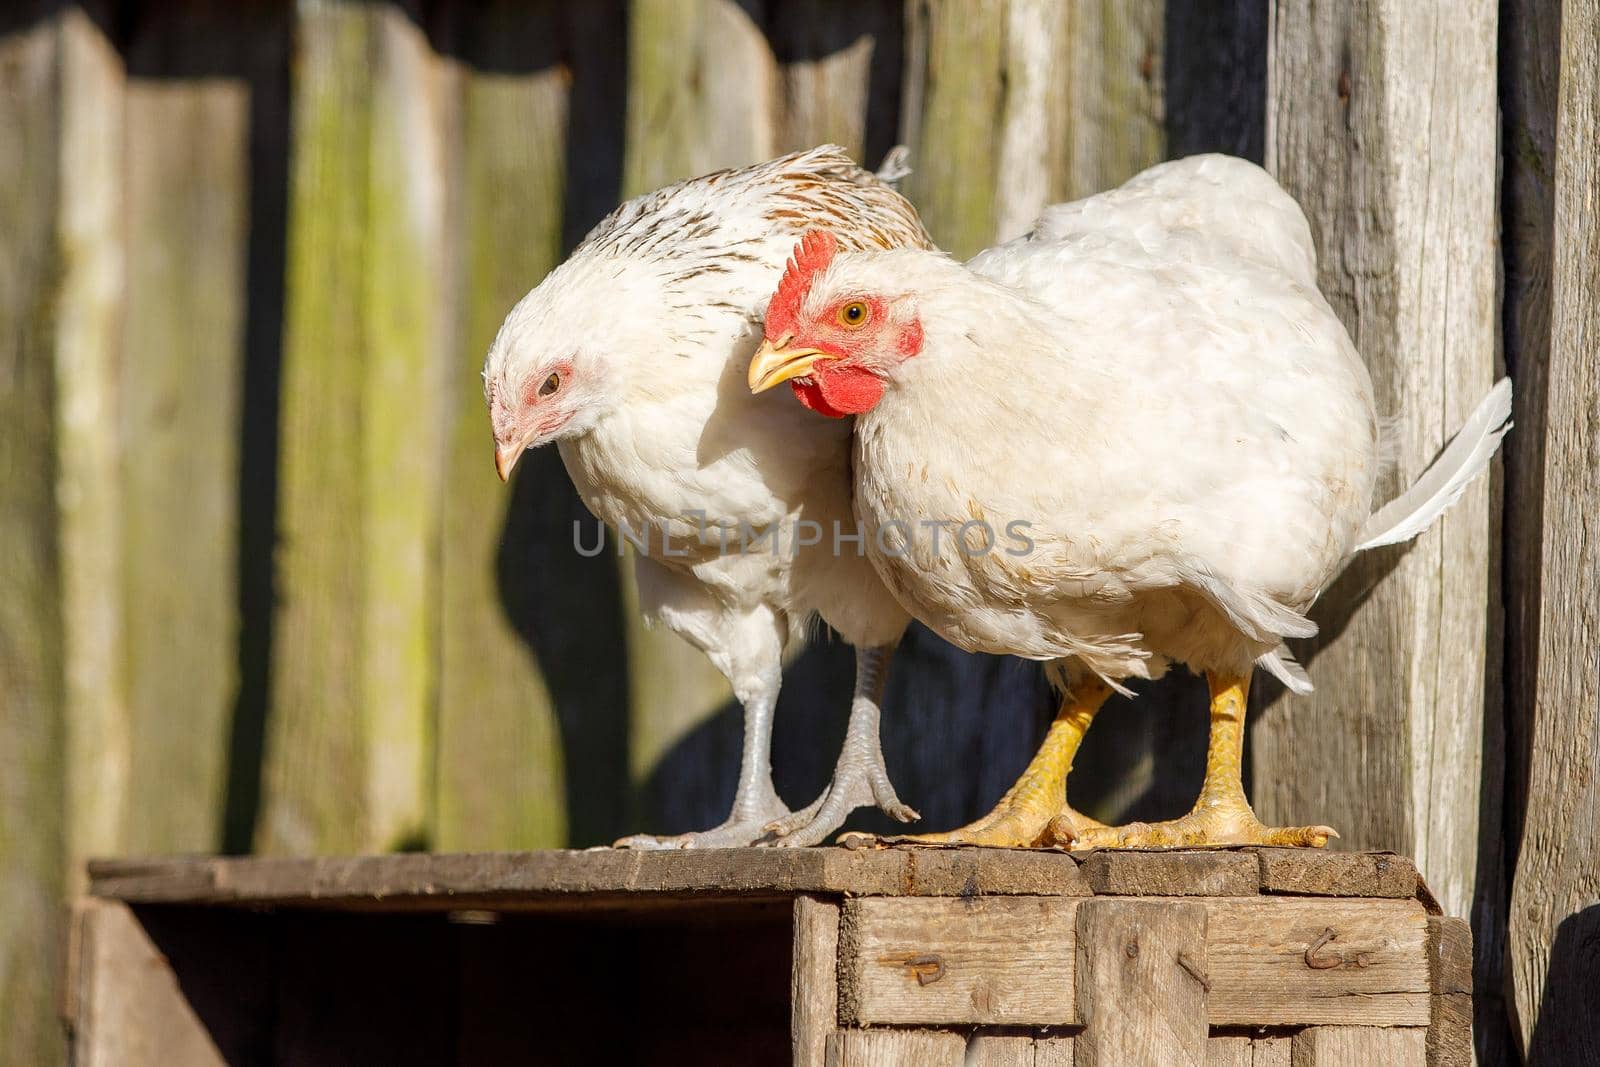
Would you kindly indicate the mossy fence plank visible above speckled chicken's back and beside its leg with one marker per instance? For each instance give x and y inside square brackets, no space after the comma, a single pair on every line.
[702,89]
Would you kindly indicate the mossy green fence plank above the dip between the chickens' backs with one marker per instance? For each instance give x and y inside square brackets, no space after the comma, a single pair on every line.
[953,119]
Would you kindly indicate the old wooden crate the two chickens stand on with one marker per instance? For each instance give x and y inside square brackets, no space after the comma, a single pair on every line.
[834,957]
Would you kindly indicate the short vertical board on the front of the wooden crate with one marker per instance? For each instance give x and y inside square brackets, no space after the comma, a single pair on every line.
[1142,983]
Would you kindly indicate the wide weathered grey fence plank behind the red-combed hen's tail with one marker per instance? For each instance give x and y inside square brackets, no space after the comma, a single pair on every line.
[1382,121]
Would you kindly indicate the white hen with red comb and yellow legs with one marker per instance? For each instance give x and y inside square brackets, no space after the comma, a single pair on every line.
[1145,439]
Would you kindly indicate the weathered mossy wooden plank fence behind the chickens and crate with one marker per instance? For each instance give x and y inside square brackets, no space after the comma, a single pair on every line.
[260,589]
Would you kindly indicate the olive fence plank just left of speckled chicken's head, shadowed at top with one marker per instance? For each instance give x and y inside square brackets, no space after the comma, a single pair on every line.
[500,754]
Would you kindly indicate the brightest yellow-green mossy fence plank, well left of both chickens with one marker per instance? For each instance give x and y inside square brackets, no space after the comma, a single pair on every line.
[366,327]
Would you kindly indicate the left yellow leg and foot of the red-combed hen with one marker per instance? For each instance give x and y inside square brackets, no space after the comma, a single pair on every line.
[1025,815]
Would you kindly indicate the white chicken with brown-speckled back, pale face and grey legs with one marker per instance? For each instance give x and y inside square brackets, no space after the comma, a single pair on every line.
[631,358]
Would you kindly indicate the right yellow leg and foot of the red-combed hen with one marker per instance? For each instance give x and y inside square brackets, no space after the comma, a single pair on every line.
[1222,815]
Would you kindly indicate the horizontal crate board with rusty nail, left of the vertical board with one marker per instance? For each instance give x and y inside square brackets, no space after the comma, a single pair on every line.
[990,962]
